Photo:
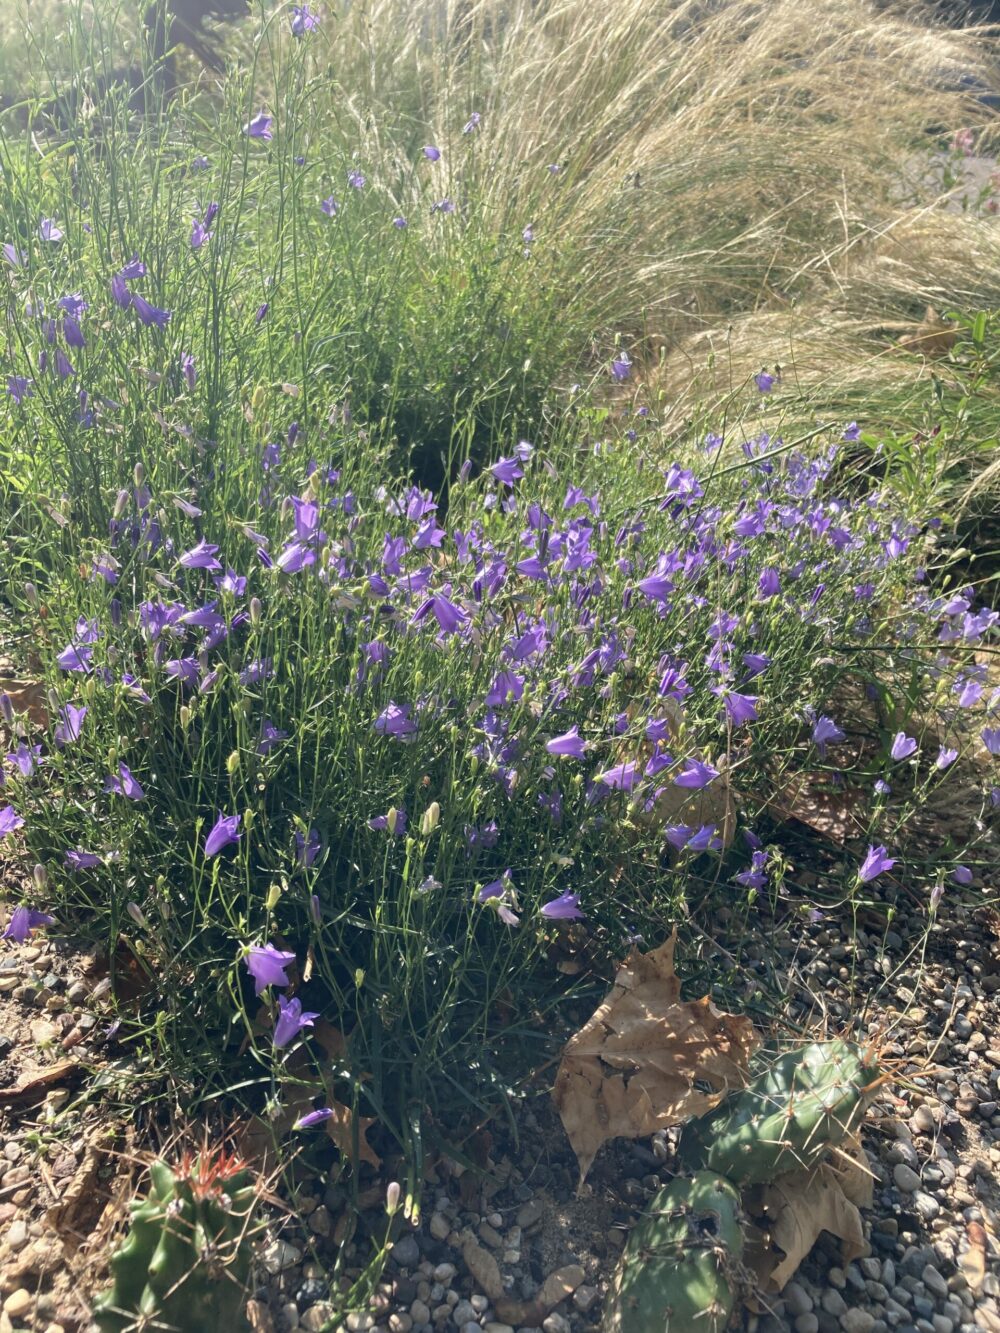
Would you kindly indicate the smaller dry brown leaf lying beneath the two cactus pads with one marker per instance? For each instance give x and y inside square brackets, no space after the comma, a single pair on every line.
[802,1204]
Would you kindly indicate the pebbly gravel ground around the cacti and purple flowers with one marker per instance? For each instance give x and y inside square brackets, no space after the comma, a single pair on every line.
[519,1250]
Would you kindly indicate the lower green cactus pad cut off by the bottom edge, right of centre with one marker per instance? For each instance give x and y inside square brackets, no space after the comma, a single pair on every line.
[678,1274]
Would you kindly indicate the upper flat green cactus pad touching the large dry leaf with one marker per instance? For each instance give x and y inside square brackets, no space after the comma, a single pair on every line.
[801,1104]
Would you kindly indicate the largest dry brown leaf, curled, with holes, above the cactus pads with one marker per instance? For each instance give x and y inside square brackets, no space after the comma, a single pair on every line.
[634,1068]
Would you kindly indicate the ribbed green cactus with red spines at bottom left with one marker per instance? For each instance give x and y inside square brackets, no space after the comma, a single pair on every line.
[185,1264]
